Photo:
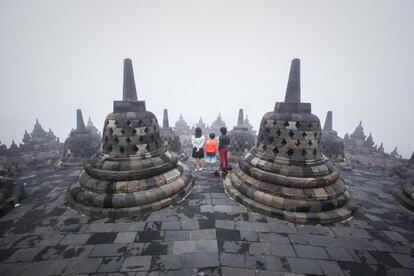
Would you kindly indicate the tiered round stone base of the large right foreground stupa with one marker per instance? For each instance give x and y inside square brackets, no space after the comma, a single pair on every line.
[312,200]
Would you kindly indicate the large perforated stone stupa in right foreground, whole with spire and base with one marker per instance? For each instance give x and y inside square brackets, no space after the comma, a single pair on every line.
[286,175]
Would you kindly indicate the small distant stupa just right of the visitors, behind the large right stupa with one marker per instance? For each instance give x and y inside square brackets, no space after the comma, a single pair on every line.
[241,138]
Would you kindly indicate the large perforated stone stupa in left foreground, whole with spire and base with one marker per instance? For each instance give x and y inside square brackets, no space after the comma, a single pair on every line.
[133,172]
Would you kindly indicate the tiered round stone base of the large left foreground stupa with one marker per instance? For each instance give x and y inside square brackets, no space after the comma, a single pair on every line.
[118,198]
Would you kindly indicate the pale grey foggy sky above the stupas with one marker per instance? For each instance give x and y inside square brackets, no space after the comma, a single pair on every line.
[200,58]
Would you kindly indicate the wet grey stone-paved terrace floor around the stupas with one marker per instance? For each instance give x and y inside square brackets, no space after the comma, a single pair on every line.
[207,234]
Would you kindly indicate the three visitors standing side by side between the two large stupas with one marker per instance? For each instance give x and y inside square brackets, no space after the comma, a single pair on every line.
[206,151]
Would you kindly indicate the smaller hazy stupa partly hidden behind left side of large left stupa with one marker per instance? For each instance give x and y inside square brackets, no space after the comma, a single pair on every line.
[80,145]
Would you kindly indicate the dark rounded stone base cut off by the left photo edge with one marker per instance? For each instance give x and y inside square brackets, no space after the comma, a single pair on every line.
[10,194]
